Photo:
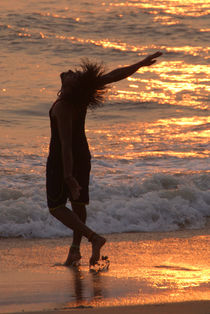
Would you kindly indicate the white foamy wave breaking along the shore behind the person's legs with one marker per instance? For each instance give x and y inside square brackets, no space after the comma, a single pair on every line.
[119,203]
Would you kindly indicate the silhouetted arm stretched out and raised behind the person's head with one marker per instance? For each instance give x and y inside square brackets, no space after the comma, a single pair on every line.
[122,73]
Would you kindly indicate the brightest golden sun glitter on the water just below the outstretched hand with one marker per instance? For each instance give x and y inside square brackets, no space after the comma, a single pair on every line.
[174,82]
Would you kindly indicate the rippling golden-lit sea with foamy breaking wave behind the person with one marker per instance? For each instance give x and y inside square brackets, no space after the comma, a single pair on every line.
[150,140]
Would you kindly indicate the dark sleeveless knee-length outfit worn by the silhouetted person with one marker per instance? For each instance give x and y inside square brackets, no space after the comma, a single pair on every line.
[57,190]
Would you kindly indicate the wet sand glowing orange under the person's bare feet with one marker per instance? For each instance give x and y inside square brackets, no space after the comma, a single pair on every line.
[149,273]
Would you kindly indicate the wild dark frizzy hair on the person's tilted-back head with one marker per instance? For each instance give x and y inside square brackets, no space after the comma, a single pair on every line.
[87,89]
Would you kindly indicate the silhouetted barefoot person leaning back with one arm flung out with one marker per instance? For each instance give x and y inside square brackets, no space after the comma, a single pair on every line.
[68,164]
